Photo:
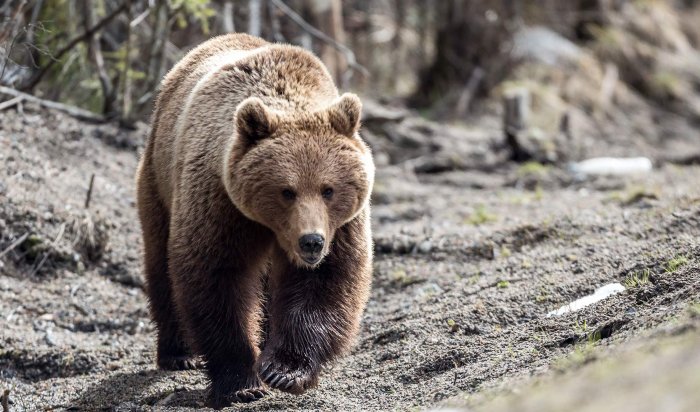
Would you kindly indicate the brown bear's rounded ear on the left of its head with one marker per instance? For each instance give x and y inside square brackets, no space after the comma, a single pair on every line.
[254,121]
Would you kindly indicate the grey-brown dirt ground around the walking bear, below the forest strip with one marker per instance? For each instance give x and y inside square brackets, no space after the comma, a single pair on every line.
[469,262]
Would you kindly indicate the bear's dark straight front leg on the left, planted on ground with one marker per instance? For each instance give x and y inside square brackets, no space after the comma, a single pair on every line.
[216,285]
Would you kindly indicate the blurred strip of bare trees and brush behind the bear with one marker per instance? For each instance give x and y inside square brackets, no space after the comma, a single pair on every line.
[108,56]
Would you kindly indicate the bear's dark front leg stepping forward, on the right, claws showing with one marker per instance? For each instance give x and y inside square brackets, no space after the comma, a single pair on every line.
[314,314]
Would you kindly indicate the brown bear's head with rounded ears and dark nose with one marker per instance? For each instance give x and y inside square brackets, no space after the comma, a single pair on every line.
[301,175]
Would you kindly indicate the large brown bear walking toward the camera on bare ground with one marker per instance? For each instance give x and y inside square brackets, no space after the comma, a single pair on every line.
[253,191]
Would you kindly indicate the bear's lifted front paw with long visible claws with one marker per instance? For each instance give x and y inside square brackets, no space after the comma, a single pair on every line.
[280,375]
